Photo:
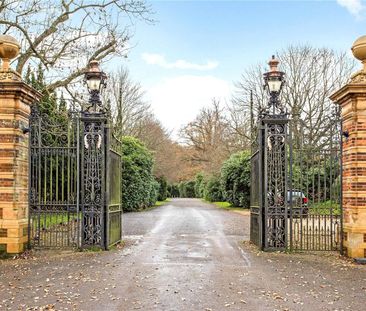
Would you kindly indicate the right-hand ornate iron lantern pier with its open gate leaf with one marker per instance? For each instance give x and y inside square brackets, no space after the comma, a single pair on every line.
[269,208]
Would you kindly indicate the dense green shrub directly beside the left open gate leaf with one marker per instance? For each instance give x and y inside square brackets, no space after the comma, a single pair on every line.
[139,188]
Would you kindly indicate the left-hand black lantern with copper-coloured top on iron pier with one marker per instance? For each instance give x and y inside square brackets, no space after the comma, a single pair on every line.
[96,81]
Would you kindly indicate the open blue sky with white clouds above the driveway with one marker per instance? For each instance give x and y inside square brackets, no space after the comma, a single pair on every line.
[197,49]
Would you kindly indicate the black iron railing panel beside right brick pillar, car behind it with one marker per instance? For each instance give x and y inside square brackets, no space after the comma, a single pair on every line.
[315,177]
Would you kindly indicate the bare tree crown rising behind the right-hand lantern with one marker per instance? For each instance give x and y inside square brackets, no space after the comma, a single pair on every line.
[312,74]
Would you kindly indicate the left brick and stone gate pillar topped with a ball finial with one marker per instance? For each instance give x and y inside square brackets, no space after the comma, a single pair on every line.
[15,100]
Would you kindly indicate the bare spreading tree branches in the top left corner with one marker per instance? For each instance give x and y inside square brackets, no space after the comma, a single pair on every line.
[65,35]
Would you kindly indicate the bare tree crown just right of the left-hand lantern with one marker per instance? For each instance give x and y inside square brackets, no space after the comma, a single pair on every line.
[128,107]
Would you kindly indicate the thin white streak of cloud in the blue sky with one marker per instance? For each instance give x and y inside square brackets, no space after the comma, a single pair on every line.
[158,59]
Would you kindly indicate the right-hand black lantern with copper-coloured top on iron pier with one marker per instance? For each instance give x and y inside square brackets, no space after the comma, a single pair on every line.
[273,82]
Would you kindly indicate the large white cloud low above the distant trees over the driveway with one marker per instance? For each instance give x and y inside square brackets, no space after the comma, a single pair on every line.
[177,101]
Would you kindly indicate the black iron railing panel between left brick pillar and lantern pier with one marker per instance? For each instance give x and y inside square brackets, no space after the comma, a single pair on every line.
[54,215]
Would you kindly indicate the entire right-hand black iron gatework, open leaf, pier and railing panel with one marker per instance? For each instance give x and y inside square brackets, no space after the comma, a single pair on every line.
[296,186]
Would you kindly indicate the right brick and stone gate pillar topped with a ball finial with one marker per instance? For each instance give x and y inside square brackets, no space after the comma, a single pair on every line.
[352,99]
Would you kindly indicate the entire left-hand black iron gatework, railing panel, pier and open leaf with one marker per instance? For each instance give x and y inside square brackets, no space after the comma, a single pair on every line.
[74,181]
